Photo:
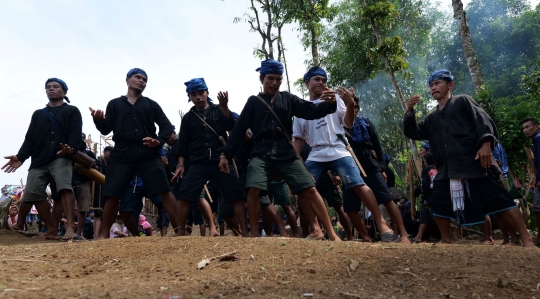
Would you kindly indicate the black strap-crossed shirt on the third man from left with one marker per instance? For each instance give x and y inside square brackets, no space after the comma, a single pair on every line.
[197,142]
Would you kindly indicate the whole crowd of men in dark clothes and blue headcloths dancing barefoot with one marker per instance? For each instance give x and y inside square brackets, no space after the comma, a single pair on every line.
[241,166]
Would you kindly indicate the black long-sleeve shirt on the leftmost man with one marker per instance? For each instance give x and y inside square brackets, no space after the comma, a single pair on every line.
[42,140]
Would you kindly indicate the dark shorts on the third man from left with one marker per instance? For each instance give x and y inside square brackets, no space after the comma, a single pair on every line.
[198,174]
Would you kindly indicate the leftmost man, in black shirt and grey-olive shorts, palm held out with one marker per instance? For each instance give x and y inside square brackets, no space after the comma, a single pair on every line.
[53,136]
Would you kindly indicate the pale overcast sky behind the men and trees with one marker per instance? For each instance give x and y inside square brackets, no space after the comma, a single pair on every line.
[92,44]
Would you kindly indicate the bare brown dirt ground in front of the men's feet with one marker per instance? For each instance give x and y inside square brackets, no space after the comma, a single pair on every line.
[154,267]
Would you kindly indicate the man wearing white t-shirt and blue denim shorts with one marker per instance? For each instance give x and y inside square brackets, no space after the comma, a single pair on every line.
[329,152]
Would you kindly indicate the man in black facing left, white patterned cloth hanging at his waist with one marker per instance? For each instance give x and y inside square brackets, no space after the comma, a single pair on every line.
[462,137]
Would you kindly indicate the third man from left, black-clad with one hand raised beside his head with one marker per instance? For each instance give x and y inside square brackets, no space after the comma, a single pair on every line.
[200,144]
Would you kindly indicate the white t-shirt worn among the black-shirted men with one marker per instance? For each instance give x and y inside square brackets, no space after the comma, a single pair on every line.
[322,134]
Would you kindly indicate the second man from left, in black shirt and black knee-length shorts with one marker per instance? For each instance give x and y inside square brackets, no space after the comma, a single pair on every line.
[132,120]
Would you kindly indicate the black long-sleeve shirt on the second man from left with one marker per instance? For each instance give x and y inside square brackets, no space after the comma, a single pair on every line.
[130,123]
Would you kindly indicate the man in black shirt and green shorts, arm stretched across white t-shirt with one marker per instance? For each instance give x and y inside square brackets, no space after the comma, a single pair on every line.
[272,151]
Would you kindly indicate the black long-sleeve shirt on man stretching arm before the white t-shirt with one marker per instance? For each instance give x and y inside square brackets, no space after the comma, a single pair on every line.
[267,138]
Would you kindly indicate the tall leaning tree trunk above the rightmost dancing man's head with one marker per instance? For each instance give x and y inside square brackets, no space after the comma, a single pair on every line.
[468,47]
